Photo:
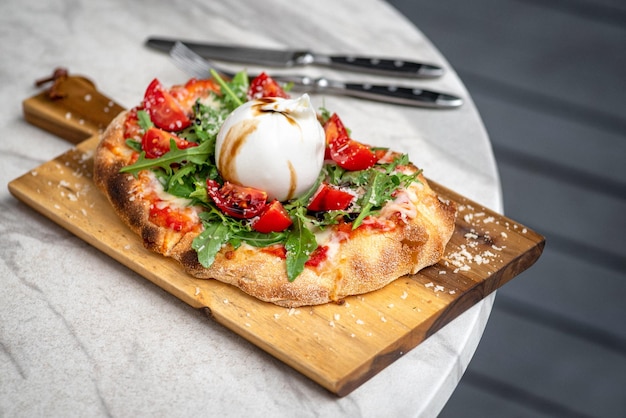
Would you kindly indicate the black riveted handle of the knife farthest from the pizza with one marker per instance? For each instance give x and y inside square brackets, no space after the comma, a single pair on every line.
[389,67]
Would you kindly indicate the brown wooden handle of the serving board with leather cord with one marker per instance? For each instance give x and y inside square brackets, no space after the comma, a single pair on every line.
[72,108]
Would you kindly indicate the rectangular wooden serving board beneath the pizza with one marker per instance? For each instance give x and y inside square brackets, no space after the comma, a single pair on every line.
[339,346]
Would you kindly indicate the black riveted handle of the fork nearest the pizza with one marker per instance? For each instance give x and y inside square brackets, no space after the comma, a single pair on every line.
[404,95]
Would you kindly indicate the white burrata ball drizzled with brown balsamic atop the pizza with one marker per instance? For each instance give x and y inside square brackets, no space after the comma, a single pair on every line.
[273,144]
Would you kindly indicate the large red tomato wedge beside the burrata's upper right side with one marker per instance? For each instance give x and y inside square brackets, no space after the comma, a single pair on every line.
[345,151]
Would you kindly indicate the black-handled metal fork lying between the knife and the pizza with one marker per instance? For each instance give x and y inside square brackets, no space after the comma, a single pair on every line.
[196,66]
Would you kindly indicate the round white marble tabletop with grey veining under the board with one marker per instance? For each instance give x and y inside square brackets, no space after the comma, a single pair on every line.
[81,335]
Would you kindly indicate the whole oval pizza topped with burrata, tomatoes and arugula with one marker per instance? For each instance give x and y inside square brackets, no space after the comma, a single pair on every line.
[241,183]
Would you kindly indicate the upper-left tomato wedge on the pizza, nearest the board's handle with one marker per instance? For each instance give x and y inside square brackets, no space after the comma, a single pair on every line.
[164,110]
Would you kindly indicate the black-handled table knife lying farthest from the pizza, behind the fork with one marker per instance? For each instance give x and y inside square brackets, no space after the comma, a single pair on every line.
[292,58]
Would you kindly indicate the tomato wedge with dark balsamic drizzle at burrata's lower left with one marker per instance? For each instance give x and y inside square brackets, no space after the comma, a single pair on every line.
[237,201]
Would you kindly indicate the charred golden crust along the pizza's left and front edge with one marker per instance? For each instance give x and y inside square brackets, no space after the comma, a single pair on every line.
[366,260]
